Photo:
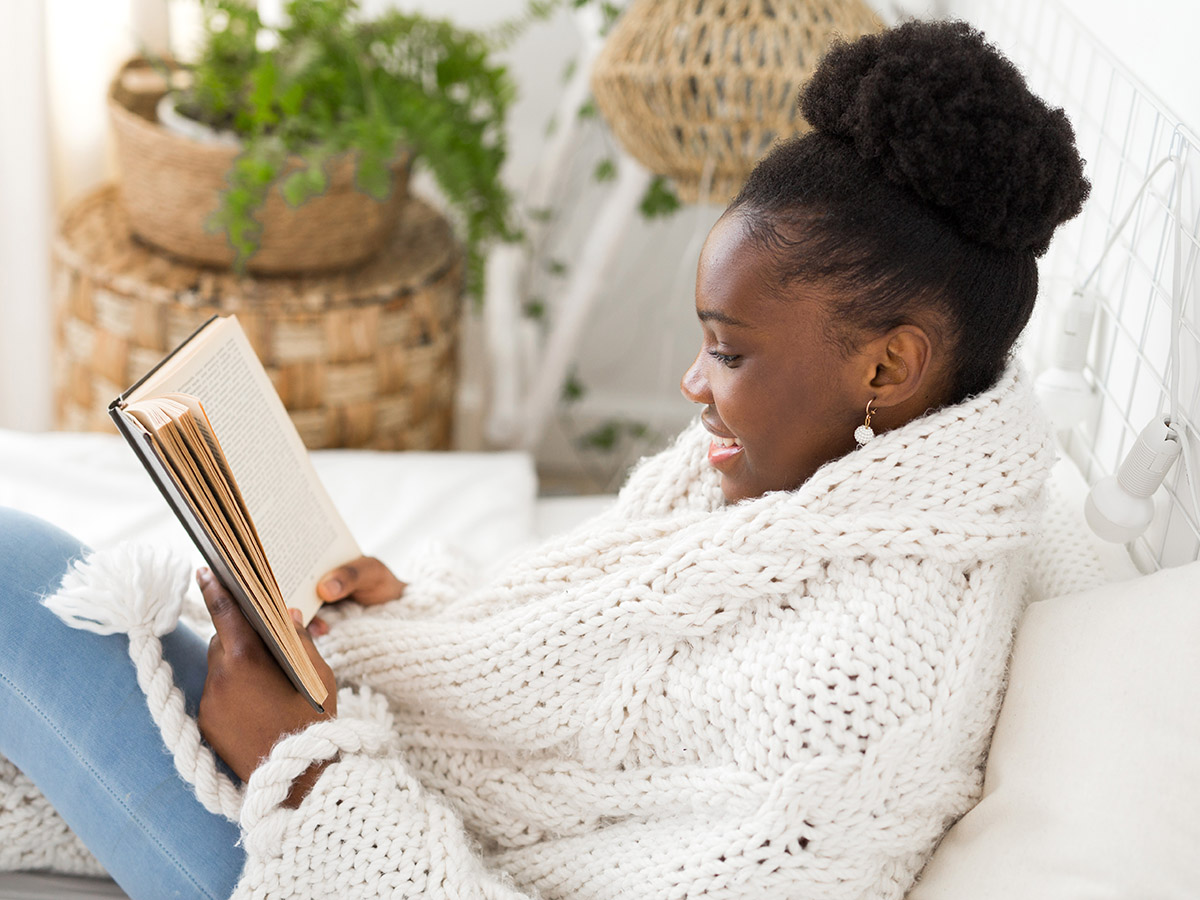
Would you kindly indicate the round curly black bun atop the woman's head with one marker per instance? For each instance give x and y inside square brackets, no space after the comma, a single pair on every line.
[944,113]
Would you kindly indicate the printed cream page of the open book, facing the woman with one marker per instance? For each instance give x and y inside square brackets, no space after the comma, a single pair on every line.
[301,530]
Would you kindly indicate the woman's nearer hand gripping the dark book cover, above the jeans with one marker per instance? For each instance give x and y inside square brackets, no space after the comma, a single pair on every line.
[249,704]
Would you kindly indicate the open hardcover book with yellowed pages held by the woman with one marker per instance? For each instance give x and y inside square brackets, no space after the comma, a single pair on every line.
[214,435]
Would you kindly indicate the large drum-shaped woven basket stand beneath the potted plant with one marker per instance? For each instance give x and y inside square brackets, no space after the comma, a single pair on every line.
[367,358]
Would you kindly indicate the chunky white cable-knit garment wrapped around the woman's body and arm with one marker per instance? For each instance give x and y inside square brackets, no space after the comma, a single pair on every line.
[787,698]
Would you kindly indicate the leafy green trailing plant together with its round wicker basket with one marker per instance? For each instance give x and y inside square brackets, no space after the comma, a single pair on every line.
[327,109]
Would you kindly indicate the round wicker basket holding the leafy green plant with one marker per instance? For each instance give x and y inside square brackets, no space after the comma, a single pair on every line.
[171,185]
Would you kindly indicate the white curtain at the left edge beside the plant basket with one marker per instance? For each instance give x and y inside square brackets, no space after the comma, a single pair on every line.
[57,58]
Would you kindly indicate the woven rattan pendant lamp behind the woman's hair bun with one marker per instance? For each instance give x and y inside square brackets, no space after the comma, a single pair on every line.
[698,89]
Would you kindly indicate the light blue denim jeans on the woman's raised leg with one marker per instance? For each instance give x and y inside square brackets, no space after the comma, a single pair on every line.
[75,722]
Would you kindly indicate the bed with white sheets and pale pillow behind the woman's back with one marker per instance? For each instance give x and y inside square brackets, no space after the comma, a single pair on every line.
[1091,787]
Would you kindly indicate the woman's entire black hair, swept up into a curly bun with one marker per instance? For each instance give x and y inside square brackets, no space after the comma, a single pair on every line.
[933,176]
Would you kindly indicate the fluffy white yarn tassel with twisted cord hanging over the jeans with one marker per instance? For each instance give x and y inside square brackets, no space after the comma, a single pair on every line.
[140,592]
